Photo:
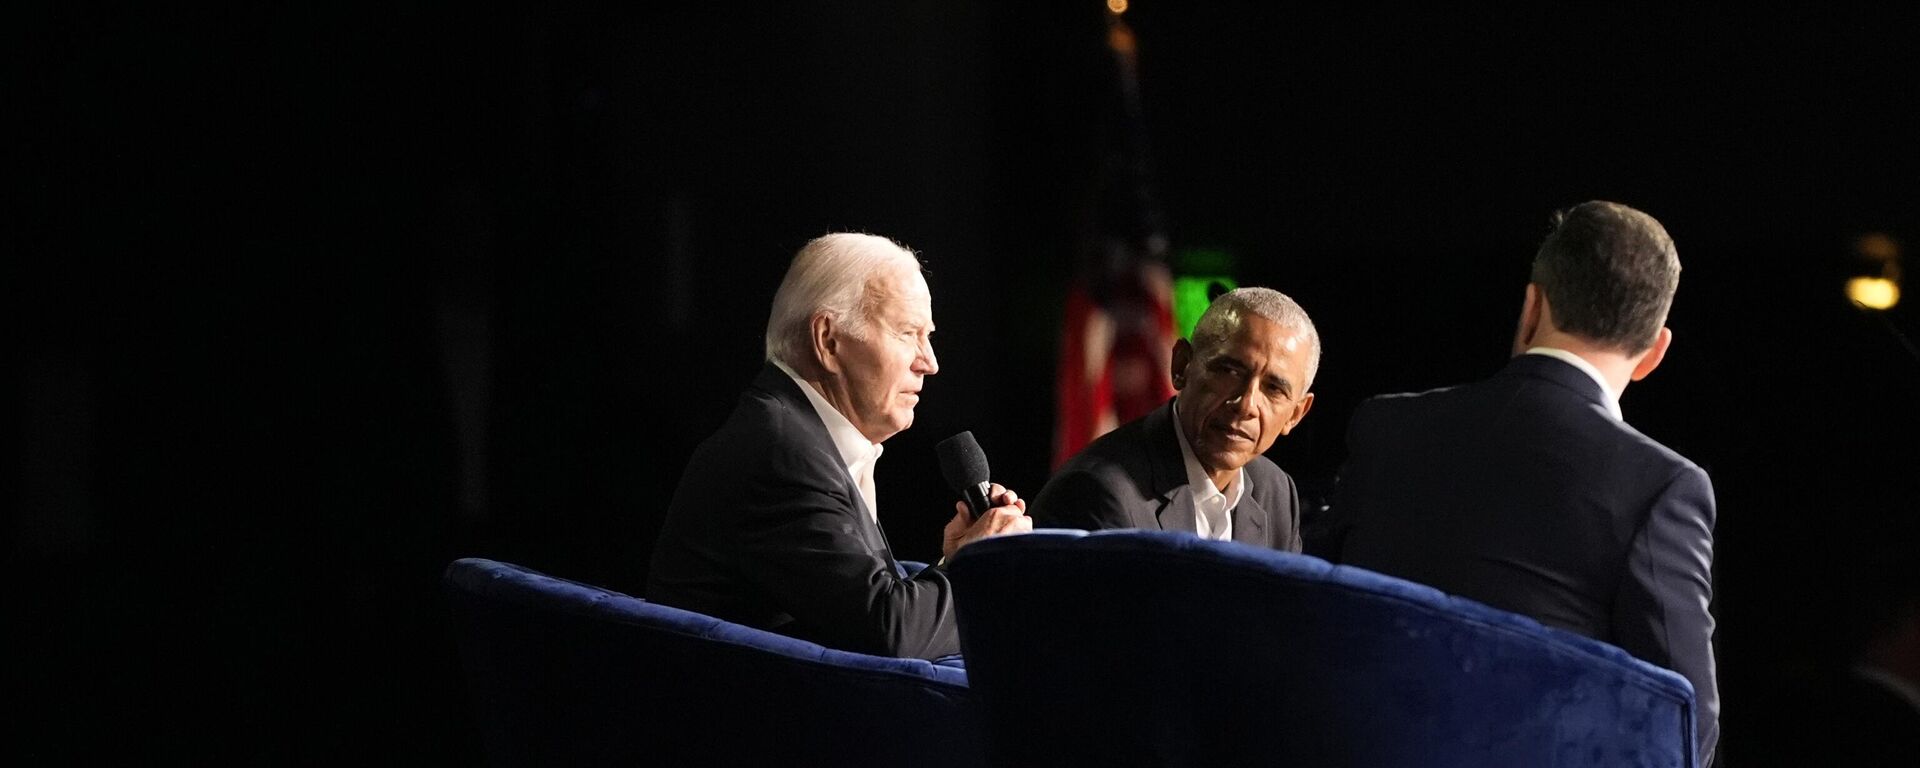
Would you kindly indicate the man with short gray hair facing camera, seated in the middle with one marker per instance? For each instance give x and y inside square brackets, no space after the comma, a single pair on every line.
[1195,464]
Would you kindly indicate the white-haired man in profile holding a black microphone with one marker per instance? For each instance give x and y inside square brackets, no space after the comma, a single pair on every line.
[775,521]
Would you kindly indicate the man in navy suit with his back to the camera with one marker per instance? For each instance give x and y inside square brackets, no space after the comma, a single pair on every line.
[1527,491]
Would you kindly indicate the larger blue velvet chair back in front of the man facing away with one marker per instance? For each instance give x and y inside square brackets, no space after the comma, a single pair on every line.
[1143,648]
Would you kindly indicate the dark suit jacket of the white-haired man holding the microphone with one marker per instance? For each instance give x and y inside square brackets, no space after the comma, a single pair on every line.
[767,529]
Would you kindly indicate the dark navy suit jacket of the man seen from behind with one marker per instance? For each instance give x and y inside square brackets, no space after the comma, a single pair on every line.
[1525,494]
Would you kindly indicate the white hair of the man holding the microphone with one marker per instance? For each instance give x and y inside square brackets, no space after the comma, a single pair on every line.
[828,276]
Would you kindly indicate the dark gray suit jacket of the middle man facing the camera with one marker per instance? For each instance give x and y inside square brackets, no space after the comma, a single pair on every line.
[1138,479]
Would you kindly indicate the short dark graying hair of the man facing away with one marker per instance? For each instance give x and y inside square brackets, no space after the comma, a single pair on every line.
[1610,276]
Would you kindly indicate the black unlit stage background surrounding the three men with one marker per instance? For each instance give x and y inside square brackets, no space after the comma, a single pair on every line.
[312,302]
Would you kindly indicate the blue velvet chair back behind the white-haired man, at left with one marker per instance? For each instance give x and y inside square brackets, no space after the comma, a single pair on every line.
[573,675]
